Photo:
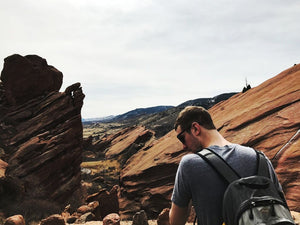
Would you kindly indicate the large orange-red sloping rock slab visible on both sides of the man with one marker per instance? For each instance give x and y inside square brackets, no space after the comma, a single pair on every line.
[265,117]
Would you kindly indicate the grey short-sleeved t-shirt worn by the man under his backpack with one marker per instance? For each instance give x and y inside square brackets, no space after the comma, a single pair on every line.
[196,180]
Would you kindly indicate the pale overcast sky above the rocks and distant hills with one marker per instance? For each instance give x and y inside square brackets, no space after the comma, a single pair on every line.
[130,54]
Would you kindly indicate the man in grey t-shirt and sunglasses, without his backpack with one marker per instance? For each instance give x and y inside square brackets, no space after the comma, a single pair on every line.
[196,182]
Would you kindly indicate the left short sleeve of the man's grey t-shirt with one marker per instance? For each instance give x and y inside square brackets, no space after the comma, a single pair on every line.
[181,193]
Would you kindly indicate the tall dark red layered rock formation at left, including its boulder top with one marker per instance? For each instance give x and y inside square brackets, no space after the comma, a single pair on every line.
[40,131]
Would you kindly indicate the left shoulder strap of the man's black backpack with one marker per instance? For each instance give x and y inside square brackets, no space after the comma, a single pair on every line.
[219,165]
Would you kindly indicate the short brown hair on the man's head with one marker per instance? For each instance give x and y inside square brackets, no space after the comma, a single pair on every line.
[192,114]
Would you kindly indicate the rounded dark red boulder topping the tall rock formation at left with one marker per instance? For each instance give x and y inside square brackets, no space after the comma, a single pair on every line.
[28,77]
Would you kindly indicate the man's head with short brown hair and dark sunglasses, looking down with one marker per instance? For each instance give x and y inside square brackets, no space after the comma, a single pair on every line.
[190,125]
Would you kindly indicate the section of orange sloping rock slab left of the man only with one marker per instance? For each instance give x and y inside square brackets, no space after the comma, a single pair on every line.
[148,177]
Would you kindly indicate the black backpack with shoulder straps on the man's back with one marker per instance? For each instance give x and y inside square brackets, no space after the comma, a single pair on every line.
[249,200]
